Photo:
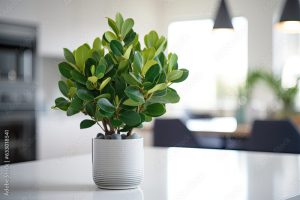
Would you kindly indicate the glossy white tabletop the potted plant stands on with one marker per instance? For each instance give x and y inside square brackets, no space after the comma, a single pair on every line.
[170,174]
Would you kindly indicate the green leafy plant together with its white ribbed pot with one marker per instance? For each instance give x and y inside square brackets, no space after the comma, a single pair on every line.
[119,85]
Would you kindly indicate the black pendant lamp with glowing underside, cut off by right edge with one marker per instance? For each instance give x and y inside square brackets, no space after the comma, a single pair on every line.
[290,17]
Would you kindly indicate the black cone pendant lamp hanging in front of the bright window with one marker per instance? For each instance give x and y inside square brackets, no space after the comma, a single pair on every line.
[223,19]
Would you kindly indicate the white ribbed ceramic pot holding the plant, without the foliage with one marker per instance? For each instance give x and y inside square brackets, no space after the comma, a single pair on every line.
[118,164]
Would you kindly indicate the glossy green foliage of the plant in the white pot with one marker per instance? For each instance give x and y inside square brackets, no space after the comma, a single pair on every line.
[116,83]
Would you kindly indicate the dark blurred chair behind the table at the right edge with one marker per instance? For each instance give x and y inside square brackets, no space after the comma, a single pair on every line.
[274,136]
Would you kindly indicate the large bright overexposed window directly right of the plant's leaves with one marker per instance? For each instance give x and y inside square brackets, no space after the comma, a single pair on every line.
[217,62]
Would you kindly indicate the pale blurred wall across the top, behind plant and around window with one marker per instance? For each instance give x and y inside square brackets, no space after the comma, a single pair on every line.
[68,23]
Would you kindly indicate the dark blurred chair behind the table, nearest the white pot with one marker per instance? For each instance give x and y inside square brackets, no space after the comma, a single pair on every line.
[174,133]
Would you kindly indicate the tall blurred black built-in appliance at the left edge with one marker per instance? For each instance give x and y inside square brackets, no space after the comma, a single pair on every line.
[17,92]
